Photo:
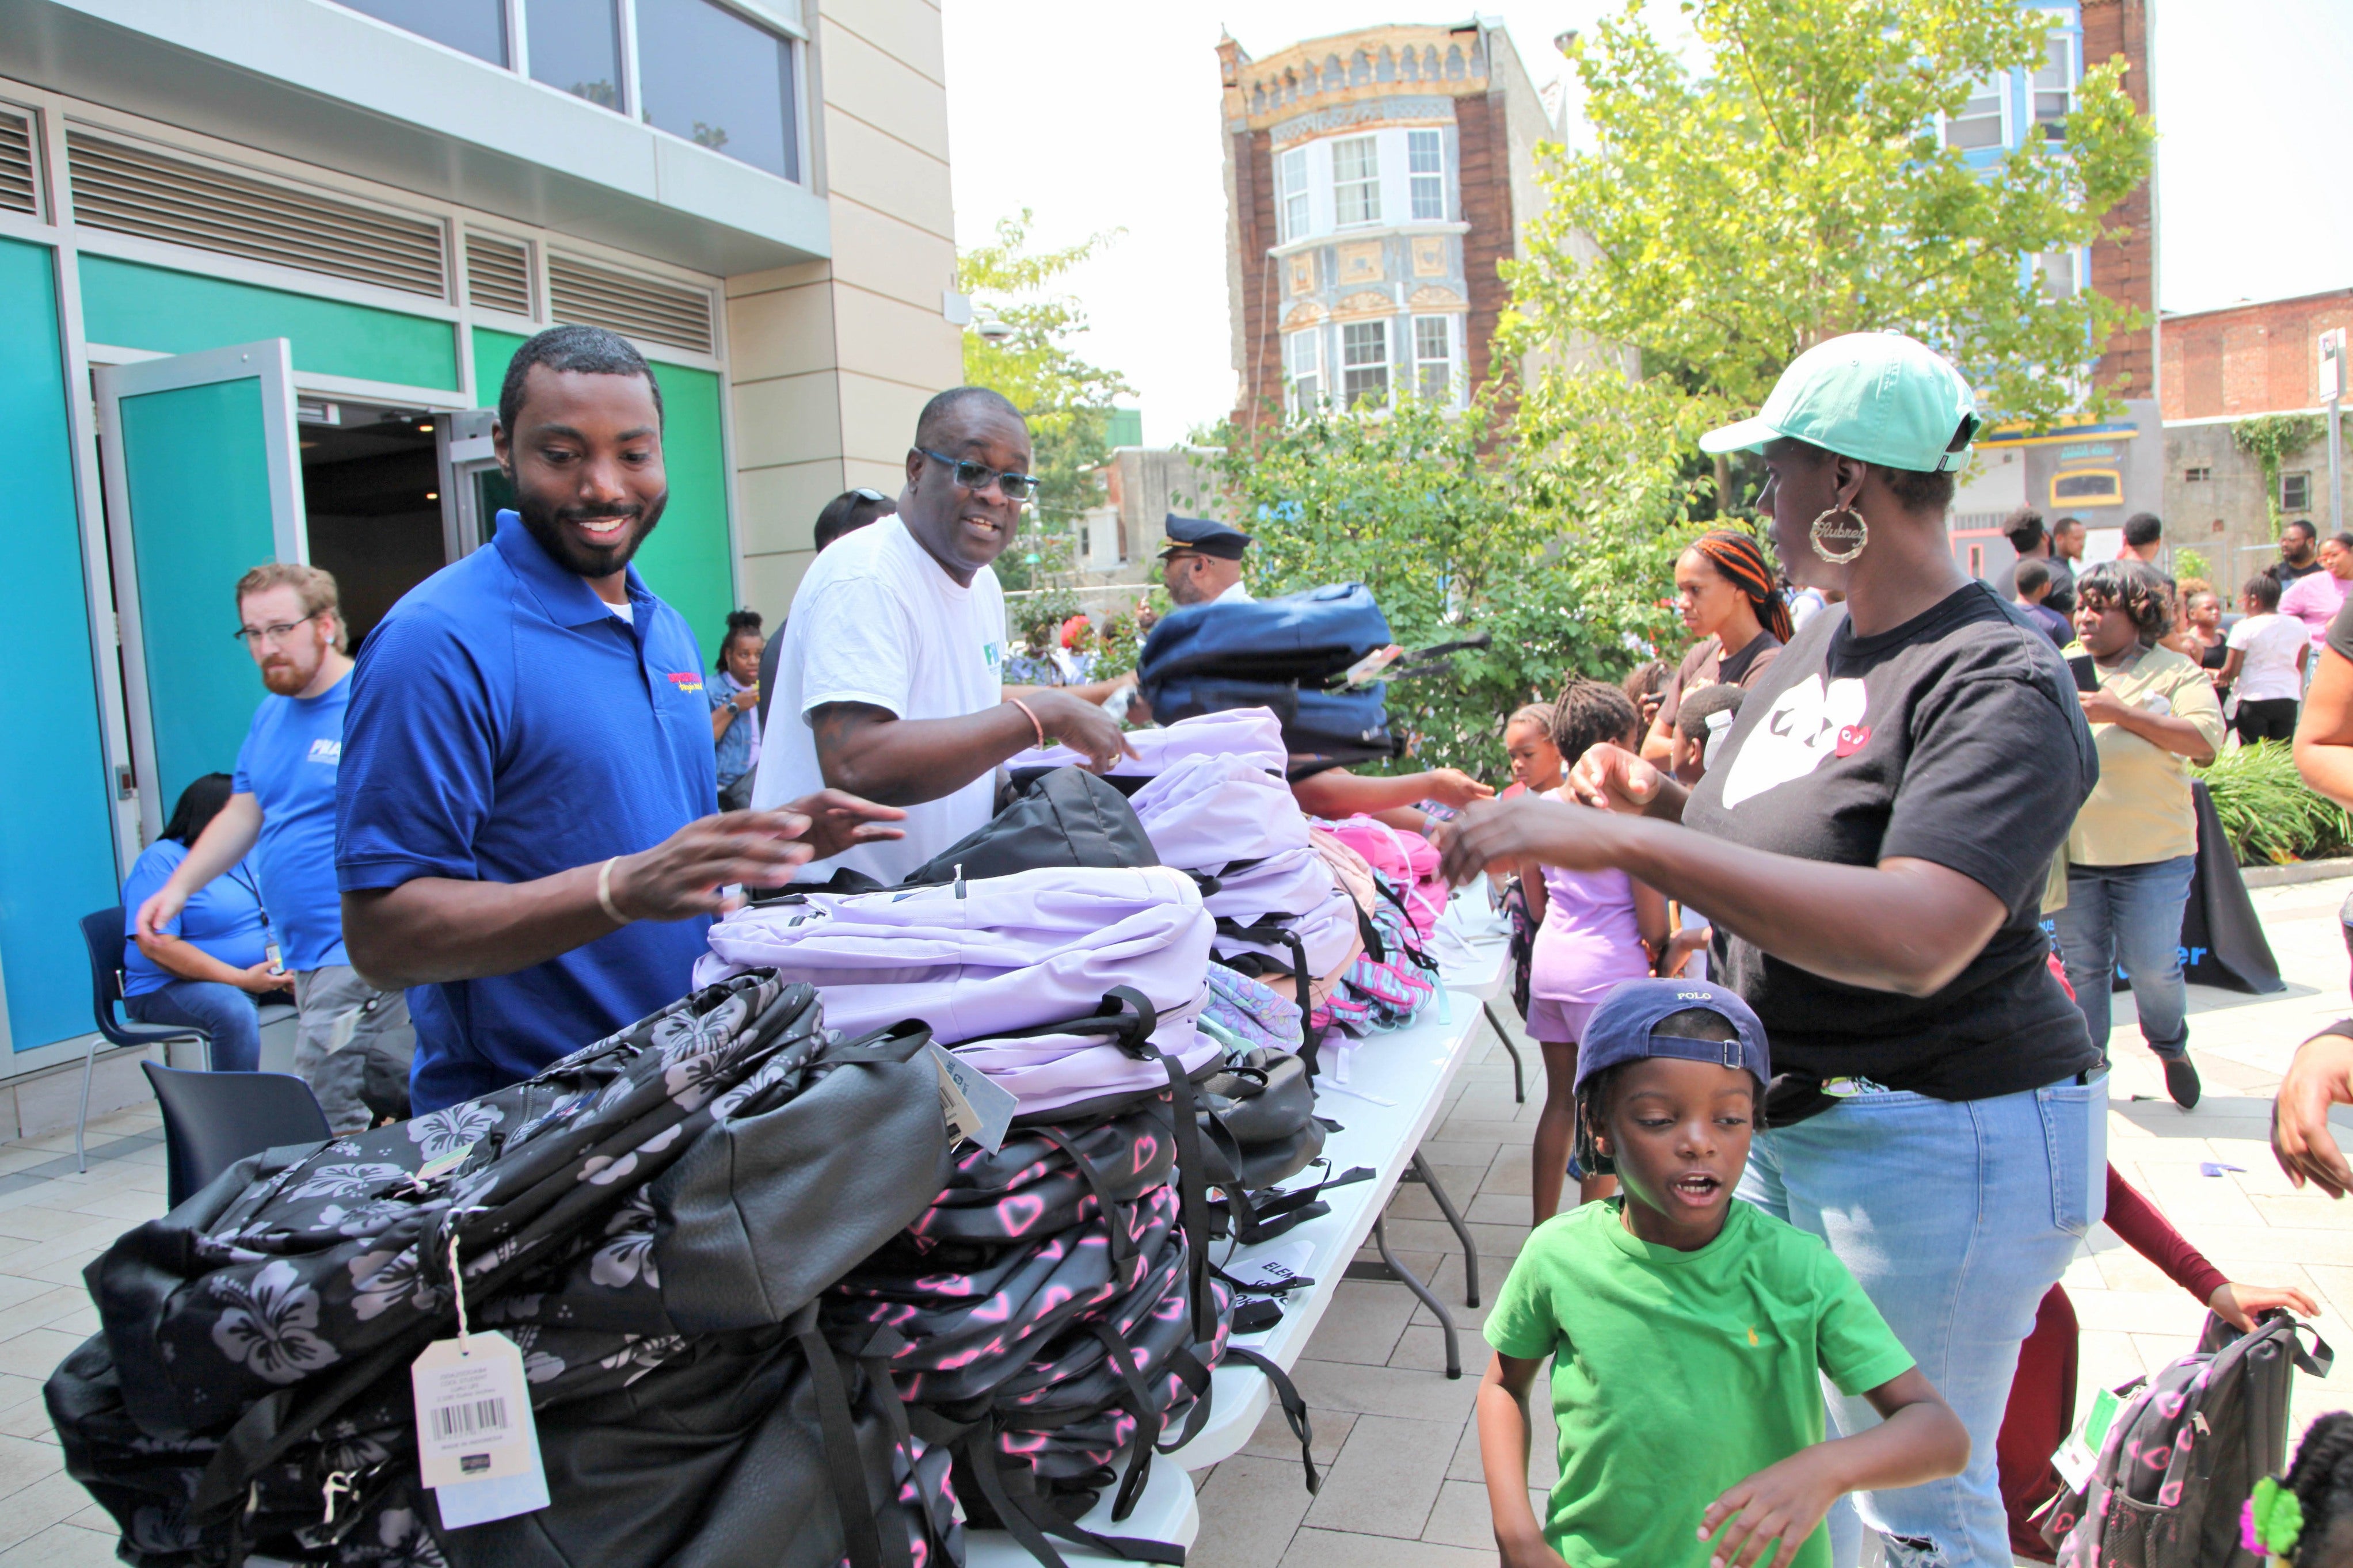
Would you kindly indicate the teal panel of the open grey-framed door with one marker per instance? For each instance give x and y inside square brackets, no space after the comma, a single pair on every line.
[199,485]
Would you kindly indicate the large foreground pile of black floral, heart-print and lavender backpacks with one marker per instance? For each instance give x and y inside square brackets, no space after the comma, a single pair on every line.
[761,1306]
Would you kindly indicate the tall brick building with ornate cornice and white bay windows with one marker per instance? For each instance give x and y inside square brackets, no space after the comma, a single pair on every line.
[1373,185]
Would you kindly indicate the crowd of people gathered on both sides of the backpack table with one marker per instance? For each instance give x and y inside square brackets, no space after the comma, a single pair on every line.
[1785,899]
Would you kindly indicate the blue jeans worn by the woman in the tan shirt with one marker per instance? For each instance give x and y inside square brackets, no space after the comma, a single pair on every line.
[2128,916]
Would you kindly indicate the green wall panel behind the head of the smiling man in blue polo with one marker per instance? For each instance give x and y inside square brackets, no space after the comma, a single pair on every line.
[688,558]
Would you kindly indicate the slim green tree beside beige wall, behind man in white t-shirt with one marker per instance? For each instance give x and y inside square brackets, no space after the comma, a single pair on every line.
[1065,398]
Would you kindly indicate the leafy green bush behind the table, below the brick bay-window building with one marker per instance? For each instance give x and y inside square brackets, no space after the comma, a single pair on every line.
[1429,514]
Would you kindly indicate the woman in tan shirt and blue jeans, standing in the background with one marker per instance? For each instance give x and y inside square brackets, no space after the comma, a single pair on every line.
[2135,843]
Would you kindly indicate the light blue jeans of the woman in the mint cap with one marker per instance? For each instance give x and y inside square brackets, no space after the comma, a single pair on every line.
[1957,1219]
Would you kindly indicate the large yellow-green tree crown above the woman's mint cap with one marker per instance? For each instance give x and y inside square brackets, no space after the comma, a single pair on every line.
[1797,189]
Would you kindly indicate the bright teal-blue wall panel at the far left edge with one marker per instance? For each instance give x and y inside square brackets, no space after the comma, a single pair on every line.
[58,847]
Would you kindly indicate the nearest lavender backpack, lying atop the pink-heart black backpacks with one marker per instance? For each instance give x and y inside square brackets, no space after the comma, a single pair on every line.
[992,965]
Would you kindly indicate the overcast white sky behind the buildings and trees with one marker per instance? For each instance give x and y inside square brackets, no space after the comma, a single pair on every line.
[1107,116]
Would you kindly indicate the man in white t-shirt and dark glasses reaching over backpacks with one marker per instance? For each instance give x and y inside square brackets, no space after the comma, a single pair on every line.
[891,678]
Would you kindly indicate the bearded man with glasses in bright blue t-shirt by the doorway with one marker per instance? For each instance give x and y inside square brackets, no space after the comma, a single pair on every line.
[352,1040]
